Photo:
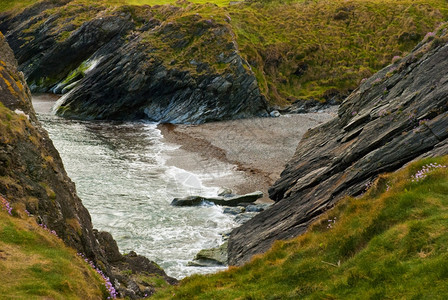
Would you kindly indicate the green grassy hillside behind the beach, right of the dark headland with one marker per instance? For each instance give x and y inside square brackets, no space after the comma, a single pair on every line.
[299,49]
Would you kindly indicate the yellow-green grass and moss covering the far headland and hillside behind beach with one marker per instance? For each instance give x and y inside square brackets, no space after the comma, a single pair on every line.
[296,49]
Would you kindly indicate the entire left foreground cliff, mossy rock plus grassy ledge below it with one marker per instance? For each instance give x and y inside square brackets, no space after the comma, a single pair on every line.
[34,186]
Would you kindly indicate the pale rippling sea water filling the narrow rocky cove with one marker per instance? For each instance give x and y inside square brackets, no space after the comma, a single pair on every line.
[121,176]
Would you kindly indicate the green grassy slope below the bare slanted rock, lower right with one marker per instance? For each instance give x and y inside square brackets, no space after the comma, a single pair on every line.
[390,243]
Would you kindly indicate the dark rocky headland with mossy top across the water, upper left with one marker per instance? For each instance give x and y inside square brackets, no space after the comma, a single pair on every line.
[165,64]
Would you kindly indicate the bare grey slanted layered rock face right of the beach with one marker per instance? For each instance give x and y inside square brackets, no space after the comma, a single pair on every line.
[396,116]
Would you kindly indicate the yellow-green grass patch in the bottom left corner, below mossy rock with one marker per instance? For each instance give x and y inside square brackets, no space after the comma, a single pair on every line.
[35,264]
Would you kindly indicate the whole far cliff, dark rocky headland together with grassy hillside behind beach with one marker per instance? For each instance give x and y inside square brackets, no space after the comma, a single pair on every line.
[193,63]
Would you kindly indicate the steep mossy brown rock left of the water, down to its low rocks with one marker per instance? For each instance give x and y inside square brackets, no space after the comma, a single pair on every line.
[33,181]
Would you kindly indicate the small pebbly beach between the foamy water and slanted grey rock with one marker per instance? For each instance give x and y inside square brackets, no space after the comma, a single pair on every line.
[244,155]
